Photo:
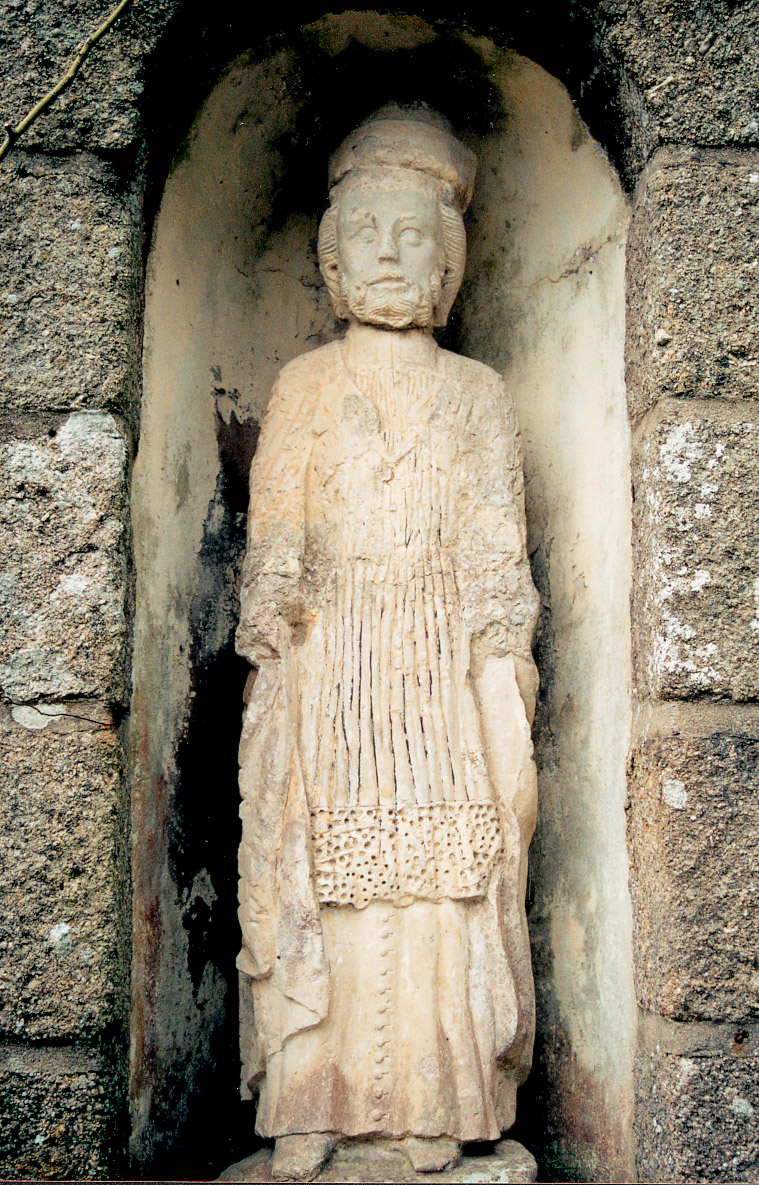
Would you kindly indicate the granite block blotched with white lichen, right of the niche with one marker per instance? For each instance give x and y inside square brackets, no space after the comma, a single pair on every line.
[697,591]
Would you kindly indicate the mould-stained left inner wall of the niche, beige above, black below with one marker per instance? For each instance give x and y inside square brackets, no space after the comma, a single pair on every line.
[209,344]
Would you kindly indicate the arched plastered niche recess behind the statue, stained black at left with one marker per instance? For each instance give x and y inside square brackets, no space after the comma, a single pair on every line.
[233,294]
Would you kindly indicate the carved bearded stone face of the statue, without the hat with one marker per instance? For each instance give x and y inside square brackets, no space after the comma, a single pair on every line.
[391,254]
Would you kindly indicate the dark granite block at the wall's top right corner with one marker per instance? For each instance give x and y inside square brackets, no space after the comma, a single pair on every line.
[691,72]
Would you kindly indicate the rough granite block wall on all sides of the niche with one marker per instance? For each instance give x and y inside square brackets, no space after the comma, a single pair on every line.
[672,94]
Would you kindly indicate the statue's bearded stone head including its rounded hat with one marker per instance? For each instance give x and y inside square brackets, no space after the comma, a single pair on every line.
[393,246]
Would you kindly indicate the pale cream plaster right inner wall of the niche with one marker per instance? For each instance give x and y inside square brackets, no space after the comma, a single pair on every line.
[544,304]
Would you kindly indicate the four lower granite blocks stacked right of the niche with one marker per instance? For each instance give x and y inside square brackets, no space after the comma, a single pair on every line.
[693,379]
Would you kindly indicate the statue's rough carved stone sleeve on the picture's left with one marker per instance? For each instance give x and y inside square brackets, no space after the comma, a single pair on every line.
[272,591]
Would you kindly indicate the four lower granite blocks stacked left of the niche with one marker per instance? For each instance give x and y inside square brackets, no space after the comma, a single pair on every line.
[72,235]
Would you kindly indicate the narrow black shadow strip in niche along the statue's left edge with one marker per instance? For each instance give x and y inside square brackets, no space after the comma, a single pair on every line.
[204,832]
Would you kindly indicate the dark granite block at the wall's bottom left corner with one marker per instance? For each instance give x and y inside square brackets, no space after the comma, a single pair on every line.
[61,1114]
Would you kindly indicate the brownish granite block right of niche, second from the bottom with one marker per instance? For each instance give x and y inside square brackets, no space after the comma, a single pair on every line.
[694,836]
